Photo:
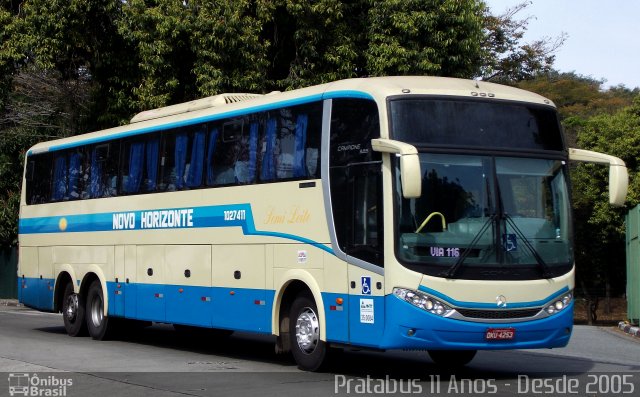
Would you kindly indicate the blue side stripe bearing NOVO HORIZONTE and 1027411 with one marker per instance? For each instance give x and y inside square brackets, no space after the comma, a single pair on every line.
[235,215]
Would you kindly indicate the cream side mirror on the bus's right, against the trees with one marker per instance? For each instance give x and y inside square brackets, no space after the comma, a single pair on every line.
[618,176]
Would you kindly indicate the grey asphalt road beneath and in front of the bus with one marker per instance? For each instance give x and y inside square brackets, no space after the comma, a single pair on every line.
[36,351]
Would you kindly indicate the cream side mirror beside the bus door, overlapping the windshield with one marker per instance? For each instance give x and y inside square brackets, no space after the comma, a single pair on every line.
[410,173]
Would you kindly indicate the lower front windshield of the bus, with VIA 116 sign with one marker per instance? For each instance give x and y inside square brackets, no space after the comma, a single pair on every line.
[484,210]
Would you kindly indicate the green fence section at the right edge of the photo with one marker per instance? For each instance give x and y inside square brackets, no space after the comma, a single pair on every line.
[633,264]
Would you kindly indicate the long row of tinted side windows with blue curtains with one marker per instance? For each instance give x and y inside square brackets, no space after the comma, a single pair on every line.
[282,144]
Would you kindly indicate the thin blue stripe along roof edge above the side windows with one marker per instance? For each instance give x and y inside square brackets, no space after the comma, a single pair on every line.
[214,117]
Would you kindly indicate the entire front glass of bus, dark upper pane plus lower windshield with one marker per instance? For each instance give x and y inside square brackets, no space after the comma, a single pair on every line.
[482,212]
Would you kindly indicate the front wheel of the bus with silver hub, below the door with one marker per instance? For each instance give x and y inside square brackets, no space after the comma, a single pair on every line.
[309,351]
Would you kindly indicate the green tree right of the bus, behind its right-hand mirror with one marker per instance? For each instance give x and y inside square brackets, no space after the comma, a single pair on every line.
[600,232]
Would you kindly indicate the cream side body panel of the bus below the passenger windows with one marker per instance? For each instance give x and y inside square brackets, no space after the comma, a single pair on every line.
[211,254]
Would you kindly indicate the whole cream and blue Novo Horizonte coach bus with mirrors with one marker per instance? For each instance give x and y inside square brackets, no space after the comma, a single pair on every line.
[385,213]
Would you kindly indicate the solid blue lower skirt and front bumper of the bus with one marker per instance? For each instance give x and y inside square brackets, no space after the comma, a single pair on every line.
[246,309]
